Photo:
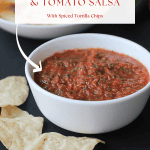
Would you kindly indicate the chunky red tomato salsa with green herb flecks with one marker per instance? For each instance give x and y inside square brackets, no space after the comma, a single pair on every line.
[92,74]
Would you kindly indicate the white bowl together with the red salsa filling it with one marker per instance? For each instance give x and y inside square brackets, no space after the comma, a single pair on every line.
[90,83]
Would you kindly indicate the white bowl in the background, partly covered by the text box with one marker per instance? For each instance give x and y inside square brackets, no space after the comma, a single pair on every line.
[42,31]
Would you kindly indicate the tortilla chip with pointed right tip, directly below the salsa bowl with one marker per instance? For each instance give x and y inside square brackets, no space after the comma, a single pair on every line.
[56,141]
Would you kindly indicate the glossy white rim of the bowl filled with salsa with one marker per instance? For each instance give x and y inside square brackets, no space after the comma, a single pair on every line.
[92,103]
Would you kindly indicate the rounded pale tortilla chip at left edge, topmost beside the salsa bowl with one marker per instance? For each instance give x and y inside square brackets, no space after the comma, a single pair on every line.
[13,91]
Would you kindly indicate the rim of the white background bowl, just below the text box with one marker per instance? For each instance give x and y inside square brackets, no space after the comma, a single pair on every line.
[36,26]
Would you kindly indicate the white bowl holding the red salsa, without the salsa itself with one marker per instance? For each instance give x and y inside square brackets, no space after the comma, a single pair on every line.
[89,116]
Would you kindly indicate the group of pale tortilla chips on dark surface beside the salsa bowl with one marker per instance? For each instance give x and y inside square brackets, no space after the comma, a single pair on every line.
[21,131]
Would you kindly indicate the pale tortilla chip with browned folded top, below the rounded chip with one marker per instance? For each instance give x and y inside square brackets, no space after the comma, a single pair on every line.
[18,129]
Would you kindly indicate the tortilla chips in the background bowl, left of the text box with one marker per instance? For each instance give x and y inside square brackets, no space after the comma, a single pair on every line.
[7,10]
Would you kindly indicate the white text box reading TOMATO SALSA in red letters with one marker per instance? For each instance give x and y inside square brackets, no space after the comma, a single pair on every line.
[38,14]
